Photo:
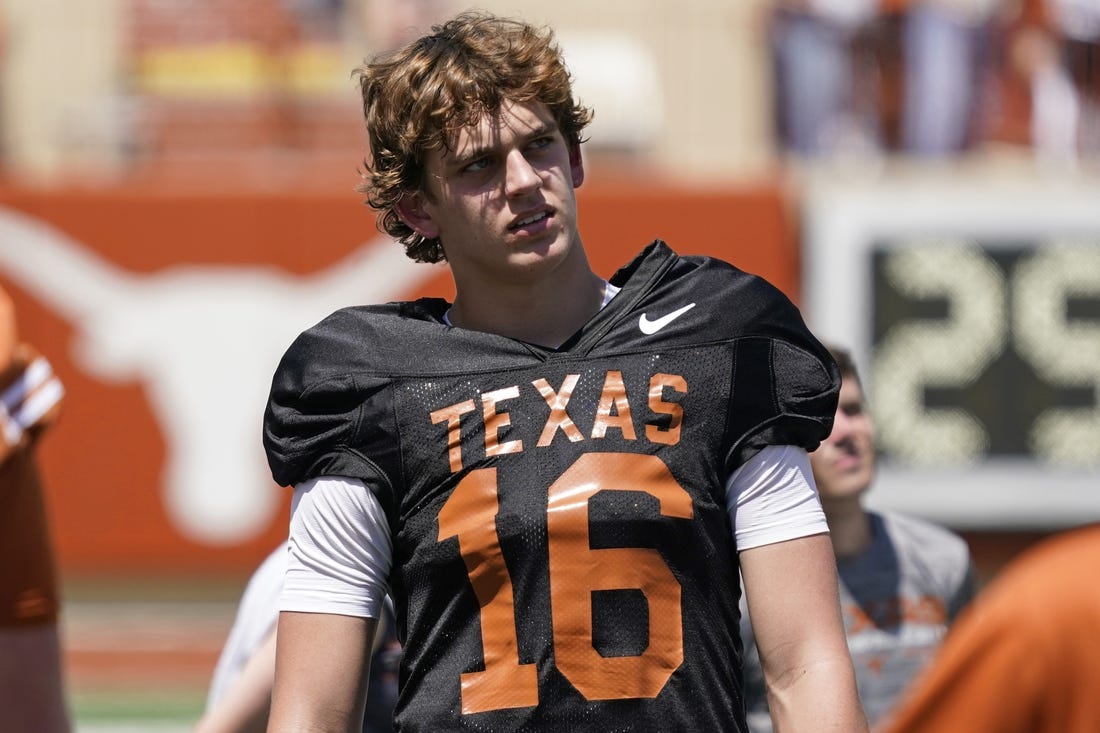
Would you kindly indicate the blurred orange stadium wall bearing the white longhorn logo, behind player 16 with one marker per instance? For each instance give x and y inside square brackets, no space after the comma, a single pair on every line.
[164,313]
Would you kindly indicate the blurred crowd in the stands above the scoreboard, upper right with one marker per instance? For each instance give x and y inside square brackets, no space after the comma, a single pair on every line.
[937,78]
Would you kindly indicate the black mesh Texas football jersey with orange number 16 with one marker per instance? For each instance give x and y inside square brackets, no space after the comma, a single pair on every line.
[564,560]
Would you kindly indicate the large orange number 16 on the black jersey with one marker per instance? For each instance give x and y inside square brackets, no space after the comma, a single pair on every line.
[577,571]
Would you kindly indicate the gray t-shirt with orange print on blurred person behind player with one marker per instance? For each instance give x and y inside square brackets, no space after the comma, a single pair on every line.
[897,598]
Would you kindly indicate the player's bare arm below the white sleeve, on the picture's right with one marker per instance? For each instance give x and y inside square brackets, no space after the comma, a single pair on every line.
[791,590]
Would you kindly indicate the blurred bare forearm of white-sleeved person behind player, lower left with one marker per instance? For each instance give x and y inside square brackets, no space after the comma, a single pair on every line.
[246,706]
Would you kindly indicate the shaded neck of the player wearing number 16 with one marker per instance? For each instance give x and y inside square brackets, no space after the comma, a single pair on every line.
[546,313]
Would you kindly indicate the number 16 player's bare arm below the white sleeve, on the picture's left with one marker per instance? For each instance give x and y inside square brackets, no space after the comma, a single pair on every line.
[322,669]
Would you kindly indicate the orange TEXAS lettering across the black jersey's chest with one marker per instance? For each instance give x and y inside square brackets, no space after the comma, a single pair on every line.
[615,411]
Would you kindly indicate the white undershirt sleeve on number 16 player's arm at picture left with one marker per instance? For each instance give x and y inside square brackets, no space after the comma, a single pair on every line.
[340,550]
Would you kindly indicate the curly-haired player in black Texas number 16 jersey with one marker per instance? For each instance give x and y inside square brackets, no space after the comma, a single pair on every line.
[558,478]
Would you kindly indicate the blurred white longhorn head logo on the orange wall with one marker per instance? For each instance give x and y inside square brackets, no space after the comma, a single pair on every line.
[205,342]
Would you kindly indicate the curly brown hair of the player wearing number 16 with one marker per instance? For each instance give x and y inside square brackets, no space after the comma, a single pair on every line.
[417,99]
